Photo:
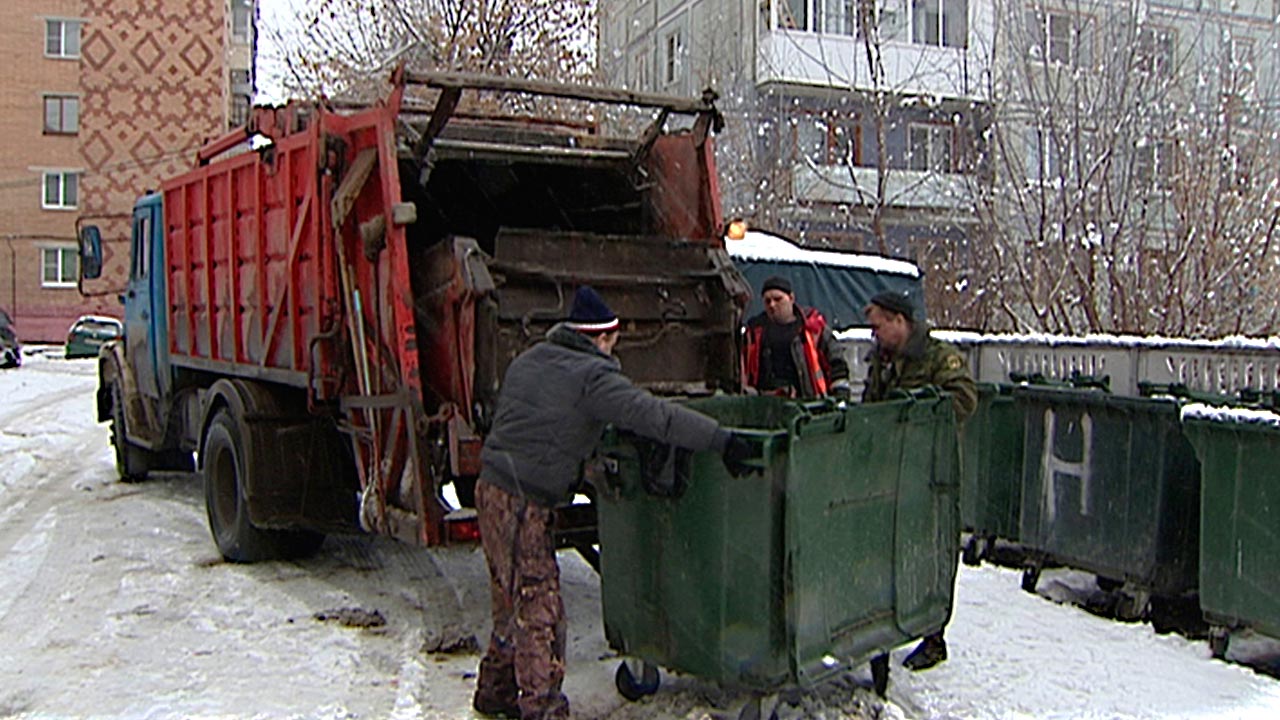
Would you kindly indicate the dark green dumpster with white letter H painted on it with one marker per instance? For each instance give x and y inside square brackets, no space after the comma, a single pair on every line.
[1112,486]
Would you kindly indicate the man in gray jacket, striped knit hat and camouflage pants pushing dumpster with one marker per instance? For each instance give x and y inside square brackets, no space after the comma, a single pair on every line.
[554,407]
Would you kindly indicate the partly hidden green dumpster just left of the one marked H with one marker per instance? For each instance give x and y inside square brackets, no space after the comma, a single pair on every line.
[991,484]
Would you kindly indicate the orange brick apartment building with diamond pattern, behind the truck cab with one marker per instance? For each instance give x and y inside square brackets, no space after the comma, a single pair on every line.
[99,102]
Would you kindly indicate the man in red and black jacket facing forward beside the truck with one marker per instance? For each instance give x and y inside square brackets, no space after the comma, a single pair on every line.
[789,350]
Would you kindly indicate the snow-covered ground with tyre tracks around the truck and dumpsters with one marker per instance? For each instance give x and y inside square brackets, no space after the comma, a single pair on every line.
[115,604]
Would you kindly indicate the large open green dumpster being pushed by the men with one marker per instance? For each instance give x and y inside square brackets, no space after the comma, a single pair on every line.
[840,550]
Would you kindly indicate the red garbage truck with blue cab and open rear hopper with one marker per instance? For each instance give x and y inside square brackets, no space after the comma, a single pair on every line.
[323,317]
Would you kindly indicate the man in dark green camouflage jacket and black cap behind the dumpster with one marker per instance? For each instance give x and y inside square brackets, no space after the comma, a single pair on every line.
[907,357]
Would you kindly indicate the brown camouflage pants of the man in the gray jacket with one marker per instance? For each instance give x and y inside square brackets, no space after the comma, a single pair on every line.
[525,662]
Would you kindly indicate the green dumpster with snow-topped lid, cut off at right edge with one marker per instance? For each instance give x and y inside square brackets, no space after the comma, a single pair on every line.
[1240,549]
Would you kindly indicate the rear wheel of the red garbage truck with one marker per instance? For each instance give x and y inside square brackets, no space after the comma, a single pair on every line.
[226,464]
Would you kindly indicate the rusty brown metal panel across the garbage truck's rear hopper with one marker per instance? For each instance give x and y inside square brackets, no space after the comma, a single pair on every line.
[680,303]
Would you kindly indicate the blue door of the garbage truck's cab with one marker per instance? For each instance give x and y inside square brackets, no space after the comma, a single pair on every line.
[140,298]
